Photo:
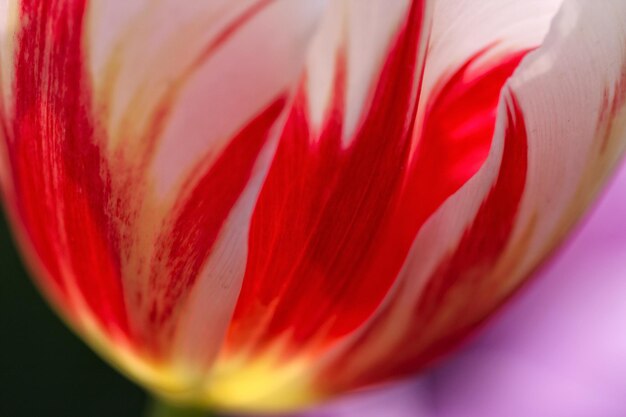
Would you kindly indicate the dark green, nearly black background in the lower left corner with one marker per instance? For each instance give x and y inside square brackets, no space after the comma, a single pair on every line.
[45,370]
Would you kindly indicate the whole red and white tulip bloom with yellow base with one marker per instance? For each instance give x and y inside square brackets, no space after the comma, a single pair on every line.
[259,205]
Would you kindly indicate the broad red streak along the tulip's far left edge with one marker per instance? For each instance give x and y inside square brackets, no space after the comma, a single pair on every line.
[62,185]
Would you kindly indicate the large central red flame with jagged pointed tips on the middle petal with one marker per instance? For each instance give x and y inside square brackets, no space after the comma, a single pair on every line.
[315,230]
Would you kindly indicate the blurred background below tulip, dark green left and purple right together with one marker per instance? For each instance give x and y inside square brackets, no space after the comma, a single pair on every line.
[558,350]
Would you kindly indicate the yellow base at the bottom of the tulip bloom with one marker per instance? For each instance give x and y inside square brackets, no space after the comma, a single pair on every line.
[238,383]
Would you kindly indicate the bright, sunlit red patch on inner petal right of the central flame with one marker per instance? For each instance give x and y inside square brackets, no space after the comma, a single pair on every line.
[459,125]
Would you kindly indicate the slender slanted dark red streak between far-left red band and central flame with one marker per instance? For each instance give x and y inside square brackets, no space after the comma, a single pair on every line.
[184,247]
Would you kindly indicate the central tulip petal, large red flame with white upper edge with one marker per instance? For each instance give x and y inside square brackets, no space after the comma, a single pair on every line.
[331,187]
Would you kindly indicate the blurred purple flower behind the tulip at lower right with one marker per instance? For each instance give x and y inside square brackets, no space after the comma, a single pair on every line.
[555,351]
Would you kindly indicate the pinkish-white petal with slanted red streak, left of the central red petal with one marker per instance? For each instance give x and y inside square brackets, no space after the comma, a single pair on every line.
[197,106]
